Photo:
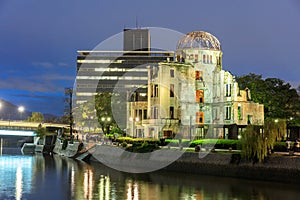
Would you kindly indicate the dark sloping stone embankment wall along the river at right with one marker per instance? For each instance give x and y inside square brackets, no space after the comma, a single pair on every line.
[275,168]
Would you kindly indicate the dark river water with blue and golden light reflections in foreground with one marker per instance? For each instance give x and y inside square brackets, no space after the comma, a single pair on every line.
[54,177]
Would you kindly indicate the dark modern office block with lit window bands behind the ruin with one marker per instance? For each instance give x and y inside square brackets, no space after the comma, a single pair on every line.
[123,73]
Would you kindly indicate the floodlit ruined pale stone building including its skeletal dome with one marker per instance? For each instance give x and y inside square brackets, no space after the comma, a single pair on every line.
[193,96]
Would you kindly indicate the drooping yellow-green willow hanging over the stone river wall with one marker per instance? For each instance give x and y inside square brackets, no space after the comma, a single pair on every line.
[257,144]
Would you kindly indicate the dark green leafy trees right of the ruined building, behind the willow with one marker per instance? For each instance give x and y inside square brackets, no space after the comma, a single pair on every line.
[279,99]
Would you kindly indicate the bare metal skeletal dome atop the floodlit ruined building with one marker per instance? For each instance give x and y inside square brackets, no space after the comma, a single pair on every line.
[199,40]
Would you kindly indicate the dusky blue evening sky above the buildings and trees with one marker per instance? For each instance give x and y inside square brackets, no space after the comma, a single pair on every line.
[39,39]
